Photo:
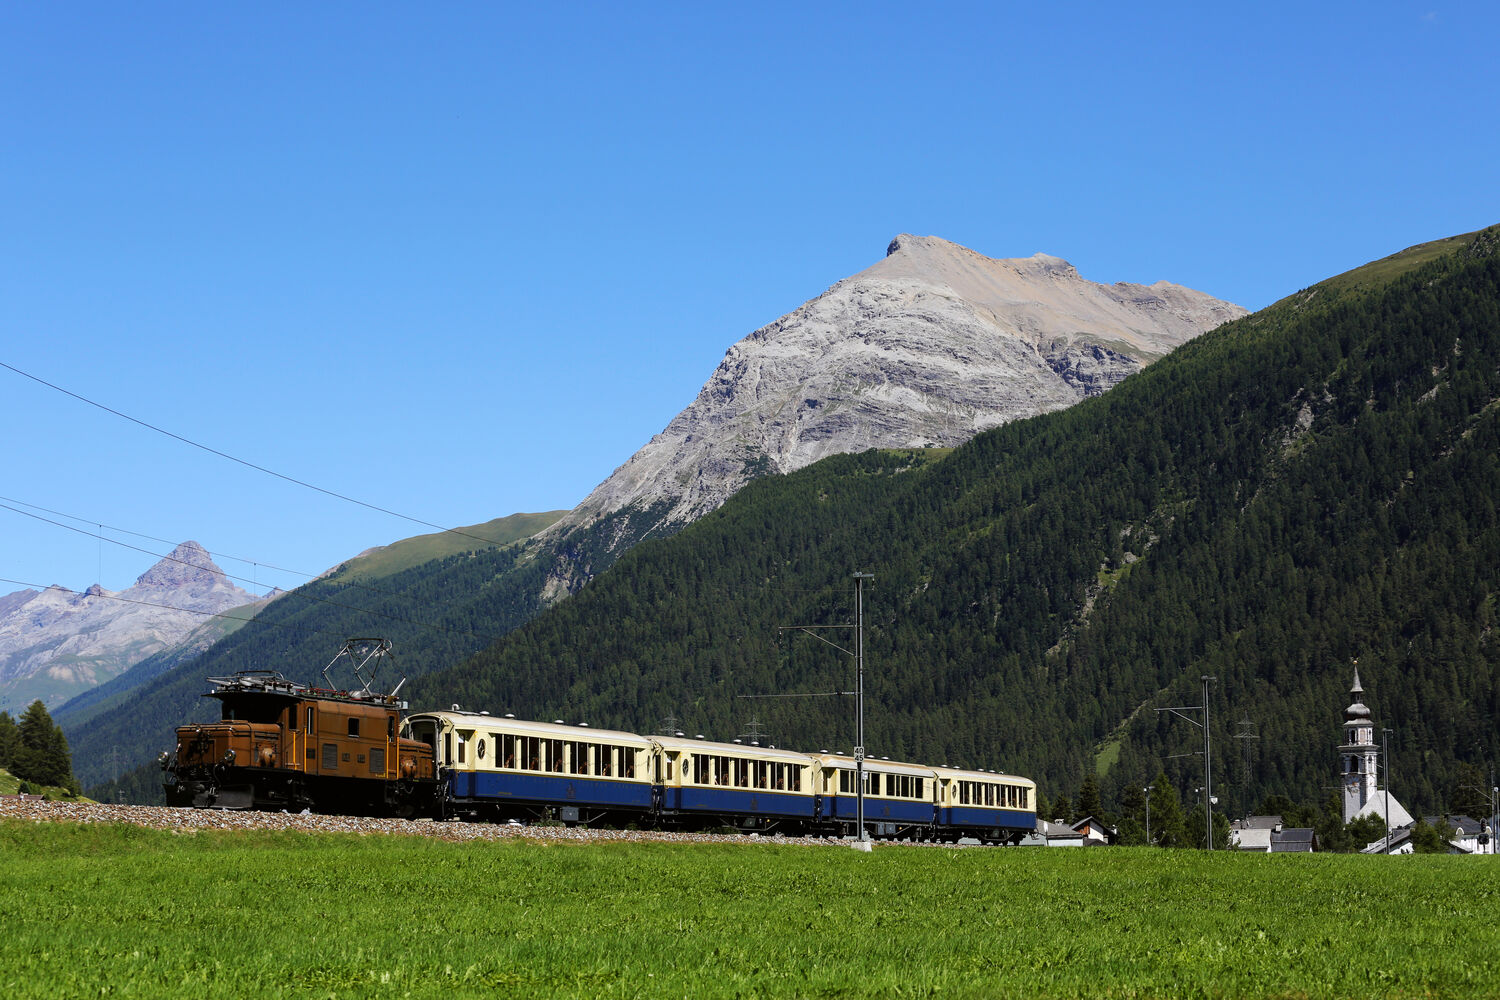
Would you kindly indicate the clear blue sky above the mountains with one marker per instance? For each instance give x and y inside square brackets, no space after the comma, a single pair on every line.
[461,260]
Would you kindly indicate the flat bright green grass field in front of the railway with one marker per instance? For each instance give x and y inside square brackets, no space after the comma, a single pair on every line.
[127,912]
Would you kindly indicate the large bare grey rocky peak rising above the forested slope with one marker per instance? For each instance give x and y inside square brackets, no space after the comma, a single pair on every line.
[926,349]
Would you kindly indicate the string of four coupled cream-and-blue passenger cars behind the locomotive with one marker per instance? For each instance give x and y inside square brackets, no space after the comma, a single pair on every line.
[496,768]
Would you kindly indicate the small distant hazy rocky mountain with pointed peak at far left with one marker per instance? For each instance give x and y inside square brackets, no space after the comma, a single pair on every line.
[58,642]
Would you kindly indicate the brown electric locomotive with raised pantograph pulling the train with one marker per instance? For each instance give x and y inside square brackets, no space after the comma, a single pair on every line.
[284,746]
